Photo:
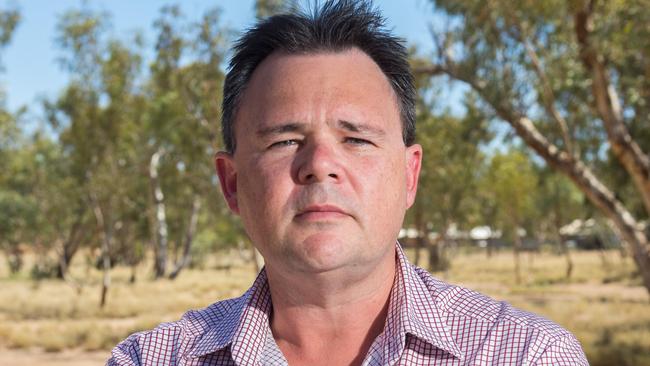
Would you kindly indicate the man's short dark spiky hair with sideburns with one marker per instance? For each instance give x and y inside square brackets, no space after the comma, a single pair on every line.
[335,26]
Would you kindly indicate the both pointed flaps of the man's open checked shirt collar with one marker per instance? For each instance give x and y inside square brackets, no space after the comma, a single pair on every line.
[412,310]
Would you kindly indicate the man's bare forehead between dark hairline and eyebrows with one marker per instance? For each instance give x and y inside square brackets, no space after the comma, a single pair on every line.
[347,81]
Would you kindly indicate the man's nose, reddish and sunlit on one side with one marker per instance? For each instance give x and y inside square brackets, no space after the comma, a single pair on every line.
[317,163]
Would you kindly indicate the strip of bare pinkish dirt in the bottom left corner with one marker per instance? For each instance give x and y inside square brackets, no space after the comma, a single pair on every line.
[35,357]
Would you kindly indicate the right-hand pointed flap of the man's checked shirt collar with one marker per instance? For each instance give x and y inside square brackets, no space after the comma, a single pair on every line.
[413,310]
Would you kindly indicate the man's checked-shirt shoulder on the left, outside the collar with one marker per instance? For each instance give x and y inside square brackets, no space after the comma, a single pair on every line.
[174,340]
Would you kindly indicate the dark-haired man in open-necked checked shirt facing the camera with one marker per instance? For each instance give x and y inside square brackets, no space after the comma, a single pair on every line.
[321,166]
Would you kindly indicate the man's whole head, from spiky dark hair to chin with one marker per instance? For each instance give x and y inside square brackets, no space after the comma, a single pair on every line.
[321,175]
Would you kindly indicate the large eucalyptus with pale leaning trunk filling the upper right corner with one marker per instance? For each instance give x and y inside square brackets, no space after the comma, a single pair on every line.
[571,79]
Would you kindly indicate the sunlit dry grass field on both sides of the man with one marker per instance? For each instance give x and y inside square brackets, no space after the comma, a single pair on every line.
[43,322]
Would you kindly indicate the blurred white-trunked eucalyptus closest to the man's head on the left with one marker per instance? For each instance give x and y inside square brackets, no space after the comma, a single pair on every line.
[181,127]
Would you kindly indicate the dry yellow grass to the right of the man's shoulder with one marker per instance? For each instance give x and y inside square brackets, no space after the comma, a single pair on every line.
[603,304]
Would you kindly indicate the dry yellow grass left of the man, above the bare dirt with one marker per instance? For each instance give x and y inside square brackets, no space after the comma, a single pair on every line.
[53,315]
